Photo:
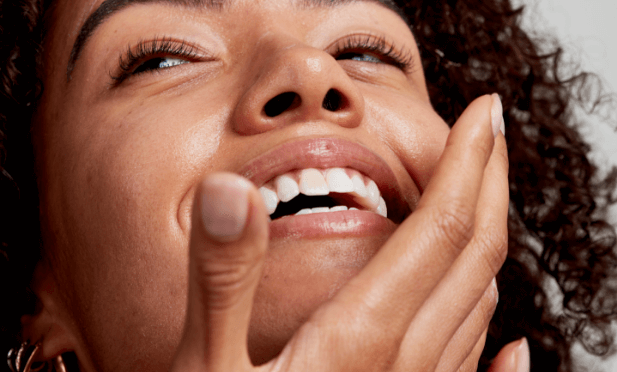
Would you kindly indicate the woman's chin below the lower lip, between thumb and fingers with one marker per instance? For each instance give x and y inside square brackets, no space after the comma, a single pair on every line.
[298,277]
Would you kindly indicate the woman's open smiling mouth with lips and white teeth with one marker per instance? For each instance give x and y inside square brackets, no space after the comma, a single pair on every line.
[320,177]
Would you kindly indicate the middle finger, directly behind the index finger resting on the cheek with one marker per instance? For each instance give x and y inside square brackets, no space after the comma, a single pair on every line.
[465,283]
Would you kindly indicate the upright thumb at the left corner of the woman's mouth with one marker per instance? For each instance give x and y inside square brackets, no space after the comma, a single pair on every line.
[228,243]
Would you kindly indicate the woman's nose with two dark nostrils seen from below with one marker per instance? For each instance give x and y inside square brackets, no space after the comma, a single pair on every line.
[298,84]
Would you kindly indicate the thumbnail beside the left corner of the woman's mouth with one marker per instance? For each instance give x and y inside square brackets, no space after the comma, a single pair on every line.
[224,206]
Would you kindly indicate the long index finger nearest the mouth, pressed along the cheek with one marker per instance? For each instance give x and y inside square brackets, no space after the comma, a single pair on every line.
[374,310]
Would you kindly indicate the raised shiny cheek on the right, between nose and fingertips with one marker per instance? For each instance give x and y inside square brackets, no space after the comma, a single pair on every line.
[413,131]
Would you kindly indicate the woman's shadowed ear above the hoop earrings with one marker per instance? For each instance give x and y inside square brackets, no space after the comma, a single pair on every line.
[50,324]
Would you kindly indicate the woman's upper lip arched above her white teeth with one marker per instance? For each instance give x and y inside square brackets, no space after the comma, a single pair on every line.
[327,153]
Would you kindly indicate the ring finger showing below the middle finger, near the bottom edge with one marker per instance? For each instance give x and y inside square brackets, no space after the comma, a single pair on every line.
[465,347]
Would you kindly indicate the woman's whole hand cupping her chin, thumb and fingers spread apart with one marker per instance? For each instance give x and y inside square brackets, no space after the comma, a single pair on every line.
[423,303]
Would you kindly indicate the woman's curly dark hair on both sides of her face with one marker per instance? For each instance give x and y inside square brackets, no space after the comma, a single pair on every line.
[558,285]
